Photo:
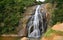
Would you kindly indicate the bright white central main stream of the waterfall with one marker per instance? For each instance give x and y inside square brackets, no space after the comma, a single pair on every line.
[36,31]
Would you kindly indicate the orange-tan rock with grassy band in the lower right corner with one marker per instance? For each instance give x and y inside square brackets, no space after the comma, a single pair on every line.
[57,34]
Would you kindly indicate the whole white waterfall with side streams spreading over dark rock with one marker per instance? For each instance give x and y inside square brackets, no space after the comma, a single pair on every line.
[35,24]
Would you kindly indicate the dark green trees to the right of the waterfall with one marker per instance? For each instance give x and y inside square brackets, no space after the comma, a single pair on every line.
[57,14]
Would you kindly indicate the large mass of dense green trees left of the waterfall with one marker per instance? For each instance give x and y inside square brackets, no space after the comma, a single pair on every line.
[11,12]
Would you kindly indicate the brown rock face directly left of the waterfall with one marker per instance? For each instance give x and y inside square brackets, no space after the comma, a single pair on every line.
[22,30]
